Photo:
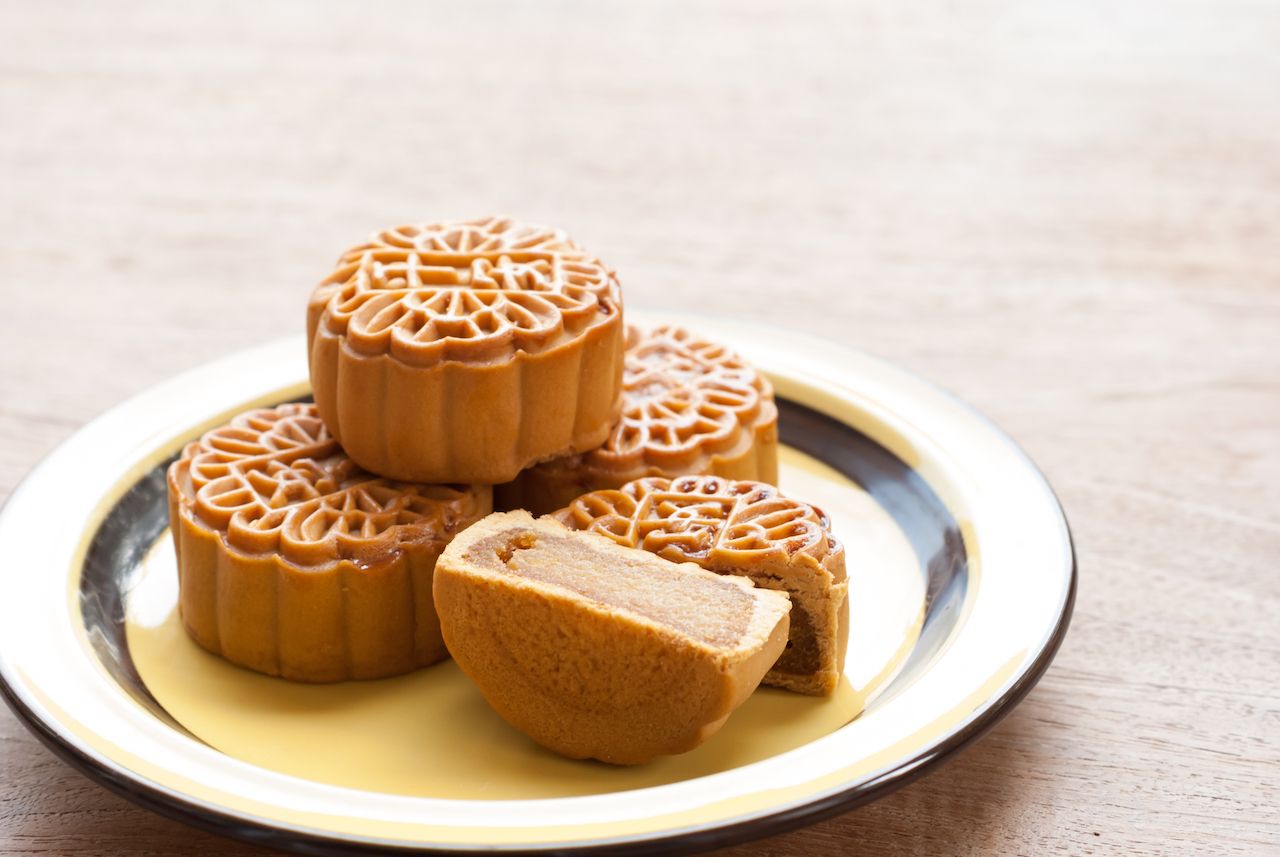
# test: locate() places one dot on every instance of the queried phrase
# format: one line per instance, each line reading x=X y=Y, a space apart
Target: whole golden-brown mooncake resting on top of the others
x=464 y=352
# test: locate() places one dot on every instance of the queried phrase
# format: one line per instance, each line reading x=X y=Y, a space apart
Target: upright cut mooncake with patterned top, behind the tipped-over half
x=749 y=529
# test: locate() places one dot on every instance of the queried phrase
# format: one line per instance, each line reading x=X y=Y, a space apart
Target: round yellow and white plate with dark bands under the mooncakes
x=962 y=583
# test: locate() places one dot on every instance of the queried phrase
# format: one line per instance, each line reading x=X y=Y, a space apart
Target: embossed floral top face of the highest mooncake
x=465 y=291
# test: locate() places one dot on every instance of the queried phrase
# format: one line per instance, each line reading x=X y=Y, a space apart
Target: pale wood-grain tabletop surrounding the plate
x=1066 y=213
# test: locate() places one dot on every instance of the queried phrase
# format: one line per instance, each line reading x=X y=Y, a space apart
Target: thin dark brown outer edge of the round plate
x=717 y=833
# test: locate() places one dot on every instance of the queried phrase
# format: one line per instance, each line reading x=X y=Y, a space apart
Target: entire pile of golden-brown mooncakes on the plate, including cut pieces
x=460 y=364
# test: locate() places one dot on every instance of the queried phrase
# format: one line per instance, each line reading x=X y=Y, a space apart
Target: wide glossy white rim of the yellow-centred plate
x=1013 y=526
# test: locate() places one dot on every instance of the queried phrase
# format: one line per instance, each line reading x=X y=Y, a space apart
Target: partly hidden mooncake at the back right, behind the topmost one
x=689 y=406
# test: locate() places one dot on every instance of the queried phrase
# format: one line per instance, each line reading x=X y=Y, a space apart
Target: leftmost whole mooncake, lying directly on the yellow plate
x=294 y=562
